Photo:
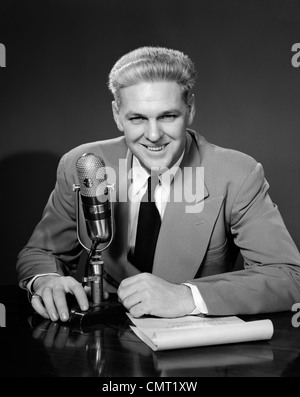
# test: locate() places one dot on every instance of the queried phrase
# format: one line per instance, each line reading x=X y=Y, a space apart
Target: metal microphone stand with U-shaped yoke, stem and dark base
x=93 y=273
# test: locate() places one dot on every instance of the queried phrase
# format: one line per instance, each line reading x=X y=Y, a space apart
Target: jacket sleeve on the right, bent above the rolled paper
x=270 y=280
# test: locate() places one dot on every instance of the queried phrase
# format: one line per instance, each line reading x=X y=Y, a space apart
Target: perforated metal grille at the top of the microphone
x=92 y=175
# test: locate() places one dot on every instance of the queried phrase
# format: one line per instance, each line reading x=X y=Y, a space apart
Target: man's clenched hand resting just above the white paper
x=147 y=294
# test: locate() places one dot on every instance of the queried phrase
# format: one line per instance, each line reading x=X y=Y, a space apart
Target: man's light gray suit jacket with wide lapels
x=198 y=241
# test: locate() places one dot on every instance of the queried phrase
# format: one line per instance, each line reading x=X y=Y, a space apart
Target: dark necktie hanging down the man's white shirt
x=149 y=222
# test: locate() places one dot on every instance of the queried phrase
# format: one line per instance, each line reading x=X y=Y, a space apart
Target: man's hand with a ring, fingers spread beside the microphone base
x=49 y=299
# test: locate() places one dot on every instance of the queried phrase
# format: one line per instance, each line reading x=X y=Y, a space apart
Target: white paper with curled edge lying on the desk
x=190 y=331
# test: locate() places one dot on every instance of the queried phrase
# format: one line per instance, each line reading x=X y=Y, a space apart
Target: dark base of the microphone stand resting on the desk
x=97 y=313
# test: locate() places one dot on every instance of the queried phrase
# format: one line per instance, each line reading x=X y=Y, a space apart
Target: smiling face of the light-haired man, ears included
x=154 y=117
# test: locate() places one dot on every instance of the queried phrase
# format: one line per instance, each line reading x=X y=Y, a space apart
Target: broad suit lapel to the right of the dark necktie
x=181 y=247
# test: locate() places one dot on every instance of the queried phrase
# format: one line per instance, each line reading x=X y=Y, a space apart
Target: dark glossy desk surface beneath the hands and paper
x=30 y=346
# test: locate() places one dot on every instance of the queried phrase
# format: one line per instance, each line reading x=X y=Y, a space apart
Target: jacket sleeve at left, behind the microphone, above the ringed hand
x=53 y=246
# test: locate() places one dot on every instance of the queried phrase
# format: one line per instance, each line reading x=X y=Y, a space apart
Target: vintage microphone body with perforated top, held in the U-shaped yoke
x=94 y=197
